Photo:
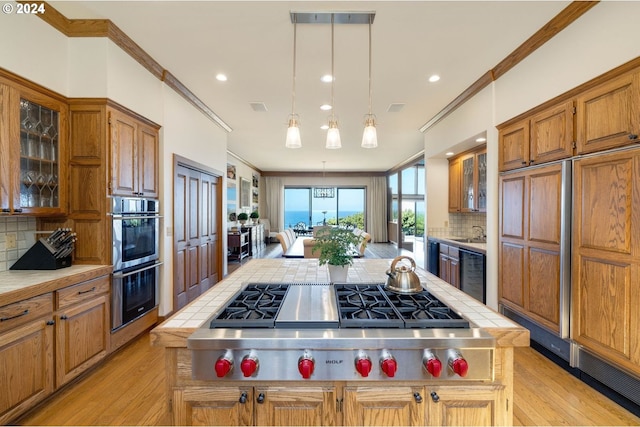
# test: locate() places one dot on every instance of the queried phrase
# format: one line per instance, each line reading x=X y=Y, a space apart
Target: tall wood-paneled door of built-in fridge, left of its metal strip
x=530 y=224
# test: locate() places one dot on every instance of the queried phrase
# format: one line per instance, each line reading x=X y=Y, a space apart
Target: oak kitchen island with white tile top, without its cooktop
x=419 y=401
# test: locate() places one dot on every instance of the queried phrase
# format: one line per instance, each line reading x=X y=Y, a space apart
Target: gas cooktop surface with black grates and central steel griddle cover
x=341 y=305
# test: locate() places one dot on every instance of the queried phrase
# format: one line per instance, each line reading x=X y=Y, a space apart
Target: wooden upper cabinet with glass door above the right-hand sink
x=468 y=181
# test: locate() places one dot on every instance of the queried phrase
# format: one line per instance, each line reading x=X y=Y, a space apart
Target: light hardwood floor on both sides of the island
x=128 y=389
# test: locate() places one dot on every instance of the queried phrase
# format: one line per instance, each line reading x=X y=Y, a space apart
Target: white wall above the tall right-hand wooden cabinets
x=596 y=43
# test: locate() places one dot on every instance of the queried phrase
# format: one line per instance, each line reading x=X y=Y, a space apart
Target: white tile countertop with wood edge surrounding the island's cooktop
x=179 y=326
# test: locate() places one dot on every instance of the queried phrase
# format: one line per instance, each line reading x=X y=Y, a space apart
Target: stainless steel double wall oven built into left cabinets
x=136 y=228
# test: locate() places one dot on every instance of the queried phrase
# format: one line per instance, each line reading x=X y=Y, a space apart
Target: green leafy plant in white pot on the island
x=337 y=247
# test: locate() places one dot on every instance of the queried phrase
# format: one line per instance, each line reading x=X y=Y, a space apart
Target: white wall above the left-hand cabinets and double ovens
x=96 y=67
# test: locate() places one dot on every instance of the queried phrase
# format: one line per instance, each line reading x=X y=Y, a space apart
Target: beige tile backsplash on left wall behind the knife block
x=22 y=230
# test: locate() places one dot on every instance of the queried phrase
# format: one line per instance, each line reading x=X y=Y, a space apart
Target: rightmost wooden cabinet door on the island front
x=465 y=406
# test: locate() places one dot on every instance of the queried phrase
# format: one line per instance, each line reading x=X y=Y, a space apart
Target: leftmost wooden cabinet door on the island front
x=219 y=406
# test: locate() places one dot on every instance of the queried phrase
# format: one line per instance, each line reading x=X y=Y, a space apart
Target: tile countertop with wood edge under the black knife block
x=17 y=285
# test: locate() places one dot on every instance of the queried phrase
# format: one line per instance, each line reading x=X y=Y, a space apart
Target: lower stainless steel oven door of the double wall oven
x=134 y=292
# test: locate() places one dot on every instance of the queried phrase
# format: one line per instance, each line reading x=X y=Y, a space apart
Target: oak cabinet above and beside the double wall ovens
x=109 y=148
